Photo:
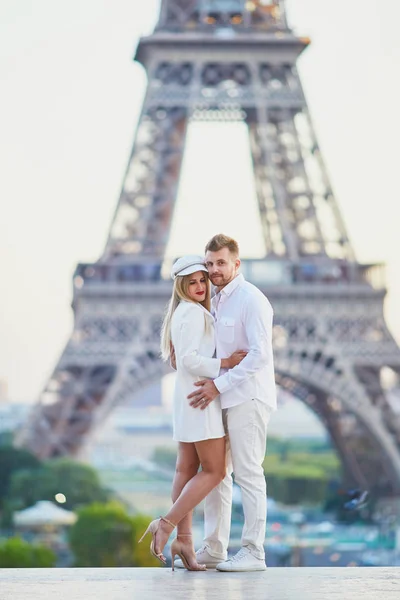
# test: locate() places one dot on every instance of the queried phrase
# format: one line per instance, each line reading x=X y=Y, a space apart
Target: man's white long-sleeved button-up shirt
x=243 y=321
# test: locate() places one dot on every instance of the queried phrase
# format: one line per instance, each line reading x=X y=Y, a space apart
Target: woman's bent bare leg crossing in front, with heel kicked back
x=211 y=454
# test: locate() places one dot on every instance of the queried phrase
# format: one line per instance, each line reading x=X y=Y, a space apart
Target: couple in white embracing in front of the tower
x=224 y=396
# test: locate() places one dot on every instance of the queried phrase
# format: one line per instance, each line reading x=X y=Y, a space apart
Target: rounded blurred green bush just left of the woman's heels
x=106 y=536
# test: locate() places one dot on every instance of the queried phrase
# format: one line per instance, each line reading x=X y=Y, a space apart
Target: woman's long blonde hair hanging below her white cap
x=179 y=293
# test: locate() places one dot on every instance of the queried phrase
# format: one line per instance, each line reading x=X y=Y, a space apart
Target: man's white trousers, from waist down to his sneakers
x=246 y=428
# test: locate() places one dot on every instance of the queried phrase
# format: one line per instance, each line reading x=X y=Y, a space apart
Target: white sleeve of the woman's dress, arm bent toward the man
x=191 y=333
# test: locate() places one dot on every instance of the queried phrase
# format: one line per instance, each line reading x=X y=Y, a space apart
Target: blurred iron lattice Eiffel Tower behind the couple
x=233 y=60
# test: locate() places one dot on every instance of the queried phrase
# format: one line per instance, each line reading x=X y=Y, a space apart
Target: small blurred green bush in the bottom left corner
x=16 y=553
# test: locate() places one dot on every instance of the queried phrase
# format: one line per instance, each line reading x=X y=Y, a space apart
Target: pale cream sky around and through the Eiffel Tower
x=69 y=102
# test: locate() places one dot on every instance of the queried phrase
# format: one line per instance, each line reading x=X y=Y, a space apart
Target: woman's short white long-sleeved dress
x=192 y=334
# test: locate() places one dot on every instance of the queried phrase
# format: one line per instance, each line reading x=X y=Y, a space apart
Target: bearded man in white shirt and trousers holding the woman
x=243 y=321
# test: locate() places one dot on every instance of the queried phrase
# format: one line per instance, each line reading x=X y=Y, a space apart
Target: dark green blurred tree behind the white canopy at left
x=78 y=482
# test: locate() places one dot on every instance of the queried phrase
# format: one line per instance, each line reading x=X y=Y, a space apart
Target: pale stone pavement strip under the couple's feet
x=374 y=583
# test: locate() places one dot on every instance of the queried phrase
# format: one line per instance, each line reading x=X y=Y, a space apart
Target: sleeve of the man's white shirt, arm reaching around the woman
x=257 y=316
